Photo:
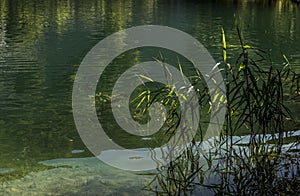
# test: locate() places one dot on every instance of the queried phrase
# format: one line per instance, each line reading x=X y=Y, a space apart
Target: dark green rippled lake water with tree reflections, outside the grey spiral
x=43 y=42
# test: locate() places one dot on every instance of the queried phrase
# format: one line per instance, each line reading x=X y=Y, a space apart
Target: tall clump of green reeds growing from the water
x=255 y=105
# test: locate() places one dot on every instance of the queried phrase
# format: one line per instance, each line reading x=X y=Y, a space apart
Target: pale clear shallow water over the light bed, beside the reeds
x=89 y=176
